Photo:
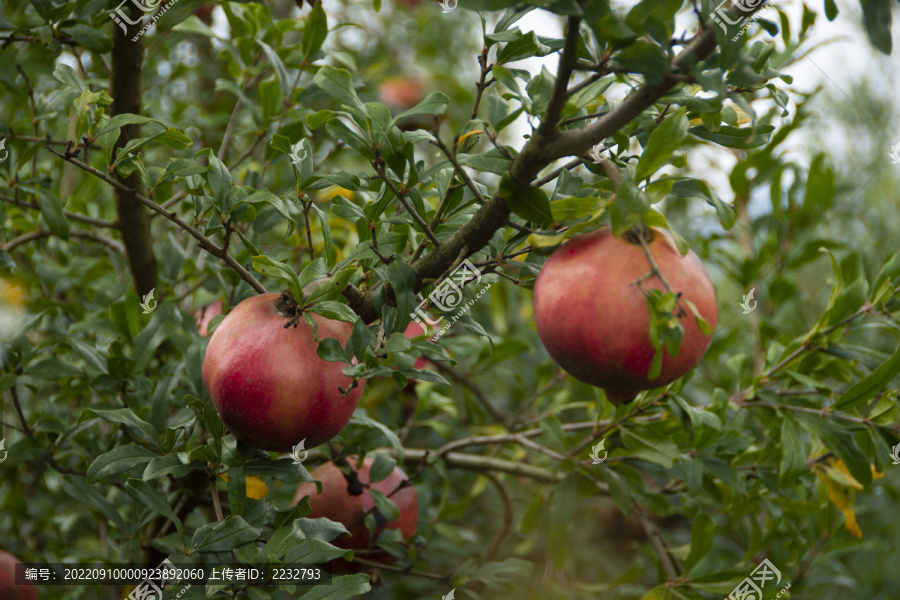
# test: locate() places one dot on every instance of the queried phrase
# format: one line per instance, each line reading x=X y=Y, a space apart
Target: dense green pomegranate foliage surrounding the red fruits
x=268 y=162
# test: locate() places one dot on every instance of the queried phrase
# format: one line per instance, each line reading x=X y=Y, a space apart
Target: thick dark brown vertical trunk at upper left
x=125 y=90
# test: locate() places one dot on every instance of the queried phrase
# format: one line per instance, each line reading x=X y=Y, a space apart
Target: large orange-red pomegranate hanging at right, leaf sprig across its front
x=593 y=318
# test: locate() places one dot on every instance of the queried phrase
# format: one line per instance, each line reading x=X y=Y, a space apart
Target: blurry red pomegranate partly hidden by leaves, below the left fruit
x=339 y=504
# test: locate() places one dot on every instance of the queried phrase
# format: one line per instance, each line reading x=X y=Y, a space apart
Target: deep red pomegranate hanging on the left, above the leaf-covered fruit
x=267 y=382
